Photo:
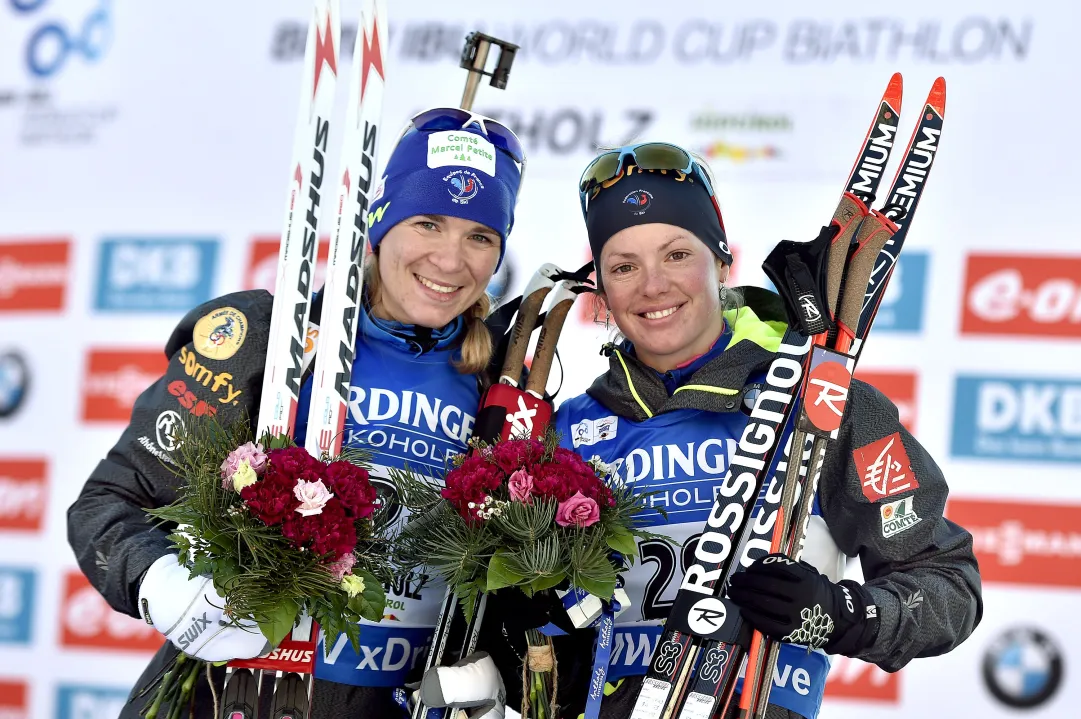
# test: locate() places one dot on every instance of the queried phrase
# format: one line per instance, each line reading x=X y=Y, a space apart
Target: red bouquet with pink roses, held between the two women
x=527 y=516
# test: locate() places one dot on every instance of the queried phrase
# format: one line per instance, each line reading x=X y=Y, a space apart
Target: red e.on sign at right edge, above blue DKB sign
x=1023 y=296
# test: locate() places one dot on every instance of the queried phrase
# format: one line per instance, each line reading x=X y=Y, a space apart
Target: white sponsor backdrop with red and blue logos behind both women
x=143 y=168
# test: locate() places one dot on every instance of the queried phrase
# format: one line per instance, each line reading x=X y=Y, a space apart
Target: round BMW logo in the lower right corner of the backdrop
x=1023 y=669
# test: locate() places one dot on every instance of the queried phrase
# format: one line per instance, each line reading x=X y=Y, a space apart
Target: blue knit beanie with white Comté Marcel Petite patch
x=458 y=174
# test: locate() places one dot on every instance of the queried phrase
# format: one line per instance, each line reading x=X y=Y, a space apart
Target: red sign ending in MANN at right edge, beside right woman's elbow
x=1022 y=542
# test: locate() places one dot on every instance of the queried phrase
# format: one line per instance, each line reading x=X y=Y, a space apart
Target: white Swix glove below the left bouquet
x=191 y=614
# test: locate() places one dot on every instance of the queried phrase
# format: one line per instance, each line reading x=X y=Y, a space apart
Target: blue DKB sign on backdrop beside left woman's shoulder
x=155 y=275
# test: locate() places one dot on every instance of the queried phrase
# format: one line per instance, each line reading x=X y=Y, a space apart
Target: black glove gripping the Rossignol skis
x=792 y=602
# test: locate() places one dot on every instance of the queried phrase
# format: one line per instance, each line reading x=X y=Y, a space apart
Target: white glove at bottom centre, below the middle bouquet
x=472 y=684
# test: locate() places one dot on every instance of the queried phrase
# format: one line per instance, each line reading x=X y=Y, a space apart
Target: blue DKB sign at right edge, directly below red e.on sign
x=1018 y=418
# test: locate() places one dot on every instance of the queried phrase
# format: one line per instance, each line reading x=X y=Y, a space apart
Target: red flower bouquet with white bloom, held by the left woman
x=283 y=534
